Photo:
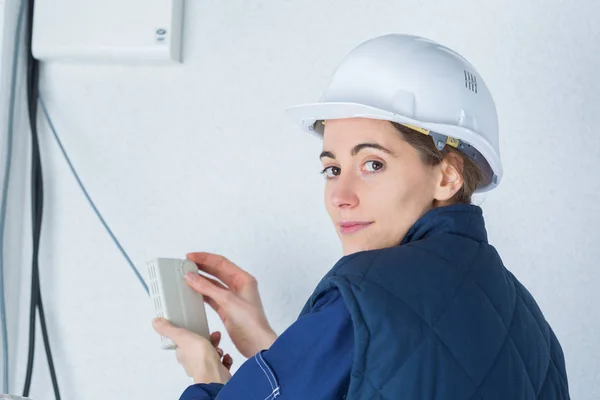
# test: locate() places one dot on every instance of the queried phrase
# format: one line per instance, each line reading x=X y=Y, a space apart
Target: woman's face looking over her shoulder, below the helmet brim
x=376 y=179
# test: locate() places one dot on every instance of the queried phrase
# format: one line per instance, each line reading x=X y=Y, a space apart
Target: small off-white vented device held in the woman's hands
x=173 y=299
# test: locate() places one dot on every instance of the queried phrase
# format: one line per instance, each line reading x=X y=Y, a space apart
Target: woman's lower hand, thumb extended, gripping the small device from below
x=199 y=357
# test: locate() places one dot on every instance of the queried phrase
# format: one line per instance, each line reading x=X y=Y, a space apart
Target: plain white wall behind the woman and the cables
x=200 y=157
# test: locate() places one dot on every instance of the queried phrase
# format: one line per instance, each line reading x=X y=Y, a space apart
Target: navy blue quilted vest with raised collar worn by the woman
x=440 y=317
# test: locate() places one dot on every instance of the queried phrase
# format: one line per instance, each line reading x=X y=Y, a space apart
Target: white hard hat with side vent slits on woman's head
x=419 y=83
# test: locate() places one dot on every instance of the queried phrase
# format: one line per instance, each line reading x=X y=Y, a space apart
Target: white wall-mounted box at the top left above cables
x=108 y=30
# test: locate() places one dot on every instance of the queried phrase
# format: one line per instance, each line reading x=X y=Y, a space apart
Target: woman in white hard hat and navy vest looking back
x=420 y=306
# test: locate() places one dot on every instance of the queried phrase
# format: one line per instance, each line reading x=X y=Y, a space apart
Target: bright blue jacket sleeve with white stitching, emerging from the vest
x=312 y=359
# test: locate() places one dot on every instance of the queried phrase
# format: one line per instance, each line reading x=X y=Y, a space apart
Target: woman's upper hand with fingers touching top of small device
x=238 y=304
